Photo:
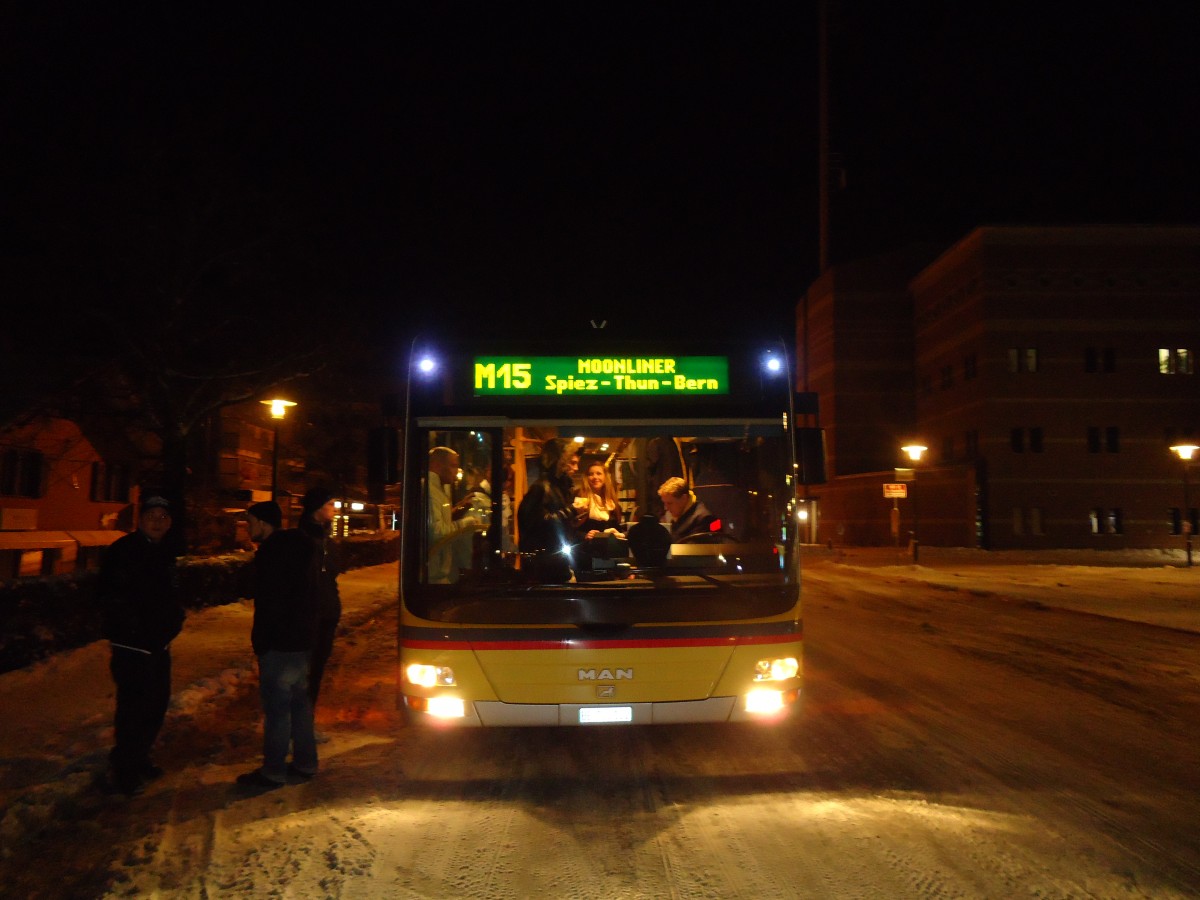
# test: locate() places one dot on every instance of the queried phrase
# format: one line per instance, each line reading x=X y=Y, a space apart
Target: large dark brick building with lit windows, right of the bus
x=1049 y=371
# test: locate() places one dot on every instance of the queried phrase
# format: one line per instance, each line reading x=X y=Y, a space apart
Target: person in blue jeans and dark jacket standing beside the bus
x=284 y=637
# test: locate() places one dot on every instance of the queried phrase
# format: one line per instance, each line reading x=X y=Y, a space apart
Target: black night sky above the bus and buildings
x=543 y=165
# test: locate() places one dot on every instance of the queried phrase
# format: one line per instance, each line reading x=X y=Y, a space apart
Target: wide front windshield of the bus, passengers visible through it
x=559 y=520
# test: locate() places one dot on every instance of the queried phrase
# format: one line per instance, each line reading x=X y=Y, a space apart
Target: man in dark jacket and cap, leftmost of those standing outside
x=142 y=615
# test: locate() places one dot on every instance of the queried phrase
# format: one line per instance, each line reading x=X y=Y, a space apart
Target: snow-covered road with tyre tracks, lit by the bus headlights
x=951 y=745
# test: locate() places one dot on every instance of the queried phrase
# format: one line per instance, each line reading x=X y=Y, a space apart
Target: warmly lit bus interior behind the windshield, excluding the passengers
x=740 y=471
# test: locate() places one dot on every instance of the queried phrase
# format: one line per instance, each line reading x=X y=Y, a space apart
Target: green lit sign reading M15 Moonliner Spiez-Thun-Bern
x=601 y=376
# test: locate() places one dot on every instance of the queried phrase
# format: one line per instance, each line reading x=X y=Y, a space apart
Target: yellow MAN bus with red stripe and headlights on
x=698 y=628
